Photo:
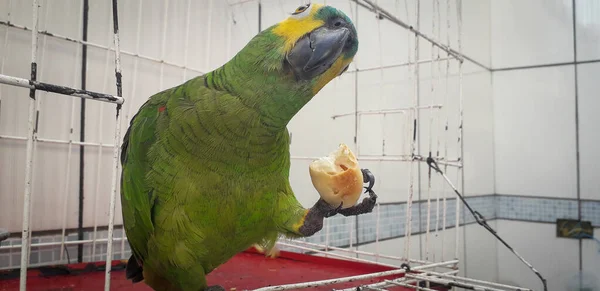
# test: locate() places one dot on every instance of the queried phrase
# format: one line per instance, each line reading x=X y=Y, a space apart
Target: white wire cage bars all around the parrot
x=425 y=267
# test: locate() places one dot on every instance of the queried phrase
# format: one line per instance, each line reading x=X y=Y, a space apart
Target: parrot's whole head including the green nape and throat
x=285 y=65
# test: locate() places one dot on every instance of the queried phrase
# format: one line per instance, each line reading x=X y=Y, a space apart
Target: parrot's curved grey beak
x=316 y=52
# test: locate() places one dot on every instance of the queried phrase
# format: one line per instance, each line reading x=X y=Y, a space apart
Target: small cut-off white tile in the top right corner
x=588 y=29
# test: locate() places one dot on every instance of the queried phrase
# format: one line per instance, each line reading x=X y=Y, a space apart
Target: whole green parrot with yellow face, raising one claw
x=205 y=164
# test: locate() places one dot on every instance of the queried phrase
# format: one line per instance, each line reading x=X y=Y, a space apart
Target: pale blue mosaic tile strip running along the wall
x=339 y=230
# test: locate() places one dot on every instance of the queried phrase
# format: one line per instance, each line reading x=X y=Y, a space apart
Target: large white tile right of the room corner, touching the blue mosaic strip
x=534 y=138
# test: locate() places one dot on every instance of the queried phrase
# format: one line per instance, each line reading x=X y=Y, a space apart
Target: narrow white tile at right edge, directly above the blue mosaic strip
x=589 y=130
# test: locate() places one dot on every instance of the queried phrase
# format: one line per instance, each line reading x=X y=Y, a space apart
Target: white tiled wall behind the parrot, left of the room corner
x=213 y=39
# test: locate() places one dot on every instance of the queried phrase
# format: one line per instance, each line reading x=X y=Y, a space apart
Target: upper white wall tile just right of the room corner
x=531 y=32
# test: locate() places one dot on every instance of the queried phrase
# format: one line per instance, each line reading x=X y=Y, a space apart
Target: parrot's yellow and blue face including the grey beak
x=319 y=43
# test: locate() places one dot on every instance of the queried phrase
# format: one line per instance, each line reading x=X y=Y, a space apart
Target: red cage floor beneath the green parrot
x=247 y=270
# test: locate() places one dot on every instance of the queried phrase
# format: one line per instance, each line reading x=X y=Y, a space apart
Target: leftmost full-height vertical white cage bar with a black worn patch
x=26 y=236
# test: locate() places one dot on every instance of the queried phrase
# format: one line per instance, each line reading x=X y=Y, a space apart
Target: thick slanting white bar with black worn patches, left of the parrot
x=20 y=82
